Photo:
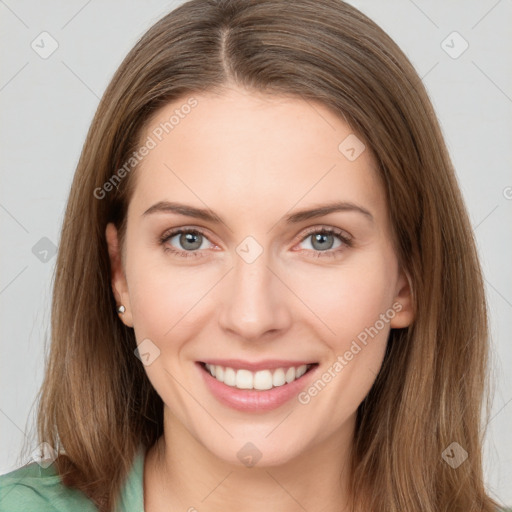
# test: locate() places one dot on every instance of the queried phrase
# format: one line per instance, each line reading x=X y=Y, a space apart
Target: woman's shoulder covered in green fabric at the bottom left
x=32 y=487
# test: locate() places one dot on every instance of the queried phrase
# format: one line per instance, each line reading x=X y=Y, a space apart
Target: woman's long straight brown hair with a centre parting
x=97 y=405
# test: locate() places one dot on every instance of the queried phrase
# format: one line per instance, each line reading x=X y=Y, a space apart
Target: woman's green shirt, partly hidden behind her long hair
x=33 y=488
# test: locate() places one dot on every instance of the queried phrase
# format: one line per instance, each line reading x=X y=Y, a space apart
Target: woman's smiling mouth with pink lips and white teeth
x=256 y=390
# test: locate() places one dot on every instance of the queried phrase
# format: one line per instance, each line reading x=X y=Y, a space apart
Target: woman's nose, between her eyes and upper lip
x=255 y=300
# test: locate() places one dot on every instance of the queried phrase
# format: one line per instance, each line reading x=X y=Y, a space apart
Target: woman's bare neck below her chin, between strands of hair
x=180 y=472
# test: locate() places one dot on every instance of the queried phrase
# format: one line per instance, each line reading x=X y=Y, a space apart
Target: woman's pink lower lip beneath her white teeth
x=253 y=400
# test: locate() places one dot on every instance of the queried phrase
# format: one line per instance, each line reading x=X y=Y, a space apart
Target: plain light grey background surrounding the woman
x=48 y=104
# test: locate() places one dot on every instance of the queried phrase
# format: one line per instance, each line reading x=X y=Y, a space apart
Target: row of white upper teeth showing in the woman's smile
x=260 y=380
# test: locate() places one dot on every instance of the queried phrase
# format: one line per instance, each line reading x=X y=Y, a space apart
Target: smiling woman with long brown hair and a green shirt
x=310 y=350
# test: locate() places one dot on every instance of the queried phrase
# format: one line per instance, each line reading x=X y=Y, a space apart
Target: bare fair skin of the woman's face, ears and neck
x=253 y=159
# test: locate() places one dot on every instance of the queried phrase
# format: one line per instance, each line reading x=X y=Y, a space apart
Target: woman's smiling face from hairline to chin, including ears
x=260 y=286
